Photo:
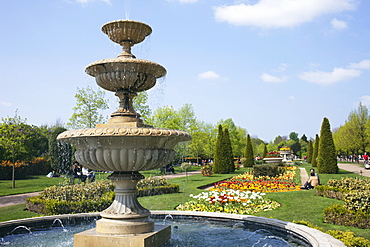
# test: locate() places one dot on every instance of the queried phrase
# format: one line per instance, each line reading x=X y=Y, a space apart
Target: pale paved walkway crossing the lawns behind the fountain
x=6 y=201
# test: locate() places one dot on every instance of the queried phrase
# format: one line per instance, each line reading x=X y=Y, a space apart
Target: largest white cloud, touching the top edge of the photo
x=280 y=13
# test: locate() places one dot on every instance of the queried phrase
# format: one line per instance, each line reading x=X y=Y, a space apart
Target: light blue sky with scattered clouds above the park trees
x=273 y=66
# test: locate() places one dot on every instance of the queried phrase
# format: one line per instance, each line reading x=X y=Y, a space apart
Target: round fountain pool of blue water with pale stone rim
x=188 y=229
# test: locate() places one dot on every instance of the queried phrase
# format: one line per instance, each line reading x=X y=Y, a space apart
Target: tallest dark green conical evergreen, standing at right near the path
x=326 y=158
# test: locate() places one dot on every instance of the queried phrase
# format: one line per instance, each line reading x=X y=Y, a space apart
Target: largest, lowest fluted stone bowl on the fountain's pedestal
x=124 y=149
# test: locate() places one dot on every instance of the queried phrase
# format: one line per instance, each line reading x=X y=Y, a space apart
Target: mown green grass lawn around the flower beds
x=296 y=205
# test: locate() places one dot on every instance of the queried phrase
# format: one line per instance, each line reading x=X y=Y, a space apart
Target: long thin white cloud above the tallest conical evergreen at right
x=327 y=78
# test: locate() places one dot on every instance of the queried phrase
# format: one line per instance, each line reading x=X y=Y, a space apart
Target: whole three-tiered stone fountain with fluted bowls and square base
x=124 y=145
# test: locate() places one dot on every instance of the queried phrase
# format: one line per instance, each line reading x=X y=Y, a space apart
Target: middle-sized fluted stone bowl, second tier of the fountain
x=125 y=73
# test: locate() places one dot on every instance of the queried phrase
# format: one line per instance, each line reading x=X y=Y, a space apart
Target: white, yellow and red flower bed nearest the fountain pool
x=229 y=201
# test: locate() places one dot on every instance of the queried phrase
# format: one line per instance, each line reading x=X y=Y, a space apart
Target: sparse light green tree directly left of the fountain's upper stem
x=86 y=112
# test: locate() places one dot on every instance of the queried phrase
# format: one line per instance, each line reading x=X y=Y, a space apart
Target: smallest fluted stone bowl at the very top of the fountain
x=126 y=30
